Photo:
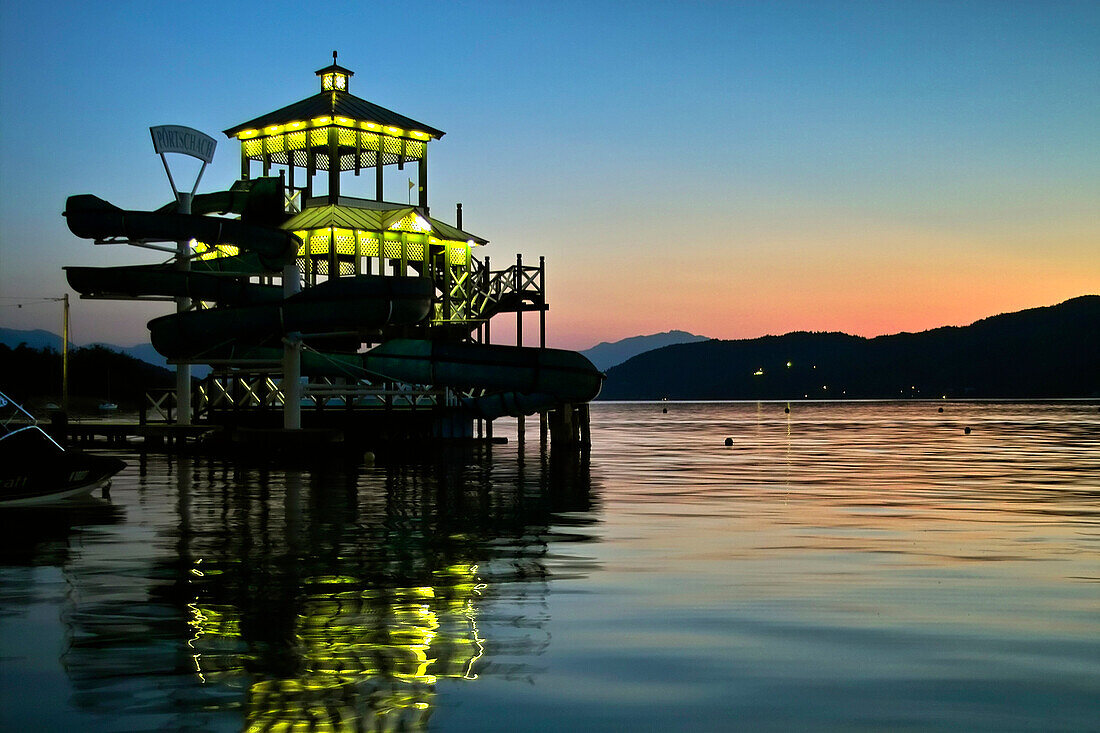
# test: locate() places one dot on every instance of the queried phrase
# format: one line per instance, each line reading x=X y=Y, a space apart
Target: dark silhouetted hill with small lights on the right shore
x=1040 y=353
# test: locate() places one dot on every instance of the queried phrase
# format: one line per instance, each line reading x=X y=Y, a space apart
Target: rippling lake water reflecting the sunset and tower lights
x=846 y=566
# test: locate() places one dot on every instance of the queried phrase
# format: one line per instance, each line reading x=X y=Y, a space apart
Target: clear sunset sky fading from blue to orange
x=729 y=169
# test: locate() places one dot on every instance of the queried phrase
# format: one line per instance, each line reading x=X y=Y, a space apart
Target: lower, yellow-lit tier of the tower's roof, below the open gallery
x=377 y=216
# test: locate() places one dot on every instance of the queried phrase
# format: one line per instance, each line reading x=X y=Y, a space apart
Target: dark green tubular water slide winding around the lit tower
x=254 y=319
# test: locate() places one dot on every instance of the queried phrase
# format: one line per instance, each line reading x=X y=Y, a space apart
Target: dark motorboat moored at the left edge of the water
x=36 y=469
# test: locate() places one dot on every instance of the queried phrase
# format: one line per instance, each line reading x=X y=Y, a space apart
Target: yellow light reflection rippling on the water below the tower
x=364 y=651
